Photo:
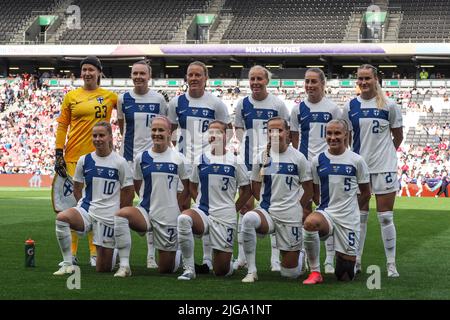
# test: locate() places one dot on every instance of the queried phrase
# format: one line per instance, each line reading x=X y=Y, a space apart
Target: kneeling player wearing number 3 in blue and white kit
x=214 y=182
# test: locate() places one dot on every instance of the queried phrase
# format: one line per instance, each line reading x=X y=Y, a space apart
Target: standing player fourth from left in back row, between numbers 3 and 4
x=252 y=114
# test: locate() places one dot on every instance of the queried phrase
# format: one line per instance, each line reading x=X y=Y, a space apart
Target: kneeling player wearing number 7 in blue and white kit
x=160 y=168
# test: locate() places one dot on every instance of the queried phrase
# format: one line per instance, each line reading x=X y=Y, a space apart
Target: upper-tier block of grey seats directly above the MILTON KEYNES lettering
x=289 y=20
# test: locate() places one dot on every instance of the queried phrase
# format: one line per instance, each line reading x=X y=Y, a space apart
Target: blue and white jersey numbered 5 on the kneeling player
x=339 y=178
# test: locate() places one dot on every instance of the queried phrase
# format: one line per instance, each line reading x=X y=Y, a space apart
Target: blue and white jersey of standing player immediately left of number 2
x=310 y=120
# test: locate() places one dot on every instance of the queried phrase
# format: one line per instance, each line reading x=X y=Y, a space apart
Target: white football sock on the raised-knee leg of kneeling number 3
x=186 y=240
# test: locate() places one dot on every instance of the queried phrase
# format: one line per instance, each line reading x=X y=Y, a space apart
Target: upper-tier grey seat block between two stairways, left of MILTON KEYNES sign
x=132 y=21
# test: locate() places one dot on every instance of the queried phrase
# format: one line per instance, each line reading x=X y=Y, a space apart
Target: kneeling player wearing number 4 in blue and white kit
x=276 y=180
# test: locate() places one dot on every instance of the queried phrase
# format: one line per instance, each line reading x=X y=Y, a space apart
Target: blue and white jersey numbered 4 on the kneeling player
x=281 y=183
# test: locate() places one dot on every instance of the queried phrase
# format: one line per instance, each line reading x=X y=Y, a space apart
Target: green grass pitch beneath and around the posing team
x=423 y=258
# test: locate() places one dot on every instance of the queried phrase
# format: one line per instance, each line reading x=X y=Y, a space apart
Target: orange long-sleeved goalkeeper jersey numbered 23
x=80 y=111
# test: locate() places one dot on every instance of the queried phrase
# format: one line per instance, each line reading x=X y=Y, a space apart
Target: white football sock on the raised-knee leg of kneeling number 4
x=250 y=223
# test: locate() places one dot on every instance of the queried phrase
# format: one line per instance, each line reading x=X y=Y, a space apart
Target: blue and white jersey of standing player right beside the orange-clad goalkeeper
x=137 y=111
